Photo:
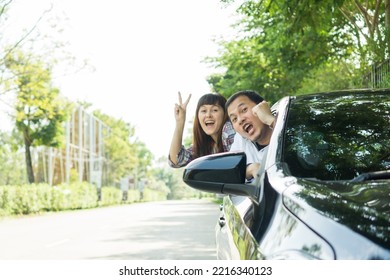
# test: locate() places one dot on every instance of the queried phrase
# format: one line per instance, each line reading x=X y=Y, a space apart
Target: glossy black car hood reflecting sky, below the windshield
x=357 y=225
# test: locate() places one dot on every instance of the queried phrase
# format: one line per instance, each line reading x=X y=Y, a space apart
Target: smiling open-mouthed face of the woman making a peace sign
x=211 y=119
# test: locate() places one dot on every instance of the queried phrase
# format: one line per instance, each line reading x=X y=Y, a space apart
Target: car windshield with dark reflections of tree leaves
x=338 y=136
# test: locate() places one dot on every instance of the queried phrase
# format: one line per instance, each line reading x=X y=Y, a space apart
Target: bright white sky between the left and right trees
x=143 y=53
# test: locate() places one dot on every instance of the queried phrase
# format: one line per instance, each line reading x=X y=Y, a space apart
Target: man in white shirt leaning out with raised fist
x=252 y=119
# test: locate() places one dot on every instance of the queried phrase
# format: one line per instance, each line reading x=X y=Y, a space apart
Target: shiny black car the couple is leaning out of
x=324 y=191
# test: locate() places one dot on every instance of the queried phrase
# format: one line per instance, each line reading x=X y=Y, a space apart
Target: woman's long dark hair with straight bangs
x=202 y=143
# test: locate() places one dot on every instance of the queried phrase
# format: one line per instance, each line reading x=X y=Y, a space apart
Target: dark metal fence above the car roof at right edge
x=379 y=76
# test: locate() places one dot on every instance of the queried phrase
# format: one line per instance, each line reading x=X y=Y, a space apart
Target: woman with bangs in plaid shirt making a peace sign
x=212 y=132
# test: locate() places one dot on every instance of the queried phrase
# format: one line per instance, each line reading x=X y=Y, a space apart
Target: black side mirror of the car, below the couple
x=222 y=173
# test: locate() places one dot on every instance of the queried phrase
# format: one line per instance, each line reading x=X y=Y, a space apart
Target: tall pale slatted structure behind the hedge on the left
x=82 y=159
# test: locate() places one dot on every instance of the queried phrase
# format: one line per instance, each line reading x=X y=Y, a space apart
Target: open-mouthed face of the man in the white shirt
x=244 y=121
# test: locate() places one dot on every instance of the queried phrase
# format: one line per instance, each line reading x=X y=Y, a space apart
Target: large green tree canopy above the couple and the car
x=283 y=45
